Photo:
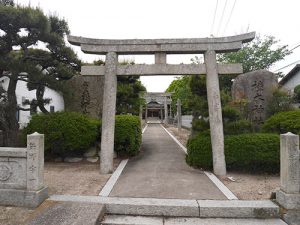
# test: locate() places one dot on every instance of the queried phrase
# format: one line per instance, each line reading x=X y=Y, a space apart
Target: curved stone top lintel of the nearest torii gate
x=169 y=46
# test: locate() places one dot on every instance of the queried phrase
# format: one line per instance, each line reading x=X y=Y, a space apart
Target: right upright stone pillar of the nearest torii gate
x=215 y=113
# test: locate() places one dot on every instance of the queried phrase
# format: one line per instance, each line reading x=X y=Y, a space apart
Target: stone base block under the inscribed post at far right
x=288 y=201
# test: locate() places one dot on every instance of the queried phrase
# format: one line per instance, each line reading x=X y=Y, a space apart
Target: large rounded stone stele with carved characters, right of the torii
x=256 y=89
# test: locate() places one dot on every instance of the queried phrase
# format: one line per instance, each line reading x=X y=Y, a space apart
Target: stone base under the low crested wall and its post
x=23 y=198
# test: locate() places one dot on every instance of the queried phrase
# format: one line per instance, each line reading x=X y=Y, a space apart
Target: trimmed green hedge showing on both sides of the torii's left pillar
x=71 y=133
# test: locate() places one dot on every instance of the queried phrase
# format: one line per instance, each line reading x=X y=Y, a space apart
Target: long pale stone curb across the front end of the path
x=180 y=207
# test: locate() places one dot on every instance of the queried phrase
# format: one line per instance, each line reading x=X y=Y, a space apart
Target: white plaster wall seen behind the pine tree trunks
x=22 y=92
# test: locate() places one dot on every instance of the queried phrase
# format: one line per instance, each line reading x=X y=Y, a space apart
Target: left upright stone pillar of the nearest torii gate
x=108 y=114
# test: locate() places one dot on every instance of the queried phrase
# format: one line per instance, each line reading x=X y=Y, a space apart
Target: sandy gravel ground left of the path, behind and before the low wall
x=81 y=178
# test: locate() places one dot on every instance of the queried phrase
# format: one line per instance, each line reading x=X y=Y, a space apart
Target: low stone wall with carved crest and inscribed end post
x=22 y=174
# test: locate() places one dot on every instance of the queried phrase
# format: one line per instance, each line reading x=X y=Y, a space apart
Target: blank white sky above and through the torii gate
x=122 y=19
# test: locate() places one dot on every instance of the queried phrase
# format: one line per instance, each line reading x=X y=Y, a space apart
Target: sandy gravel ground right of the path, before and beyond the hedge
x=245 y=186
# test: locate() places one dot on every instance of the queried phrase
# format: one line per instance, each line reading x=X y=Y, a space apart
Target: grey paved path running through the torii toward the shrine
x=160 y=171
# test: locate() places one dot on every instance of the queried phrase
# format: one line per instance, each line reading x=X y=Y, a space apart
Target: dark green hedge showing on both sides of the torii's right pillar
x=248 y=152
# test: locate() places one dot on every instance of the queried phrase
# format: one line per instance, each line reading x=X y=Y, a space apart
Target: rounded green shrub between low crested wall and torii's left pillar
x=66 y=133
